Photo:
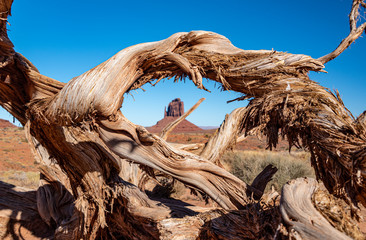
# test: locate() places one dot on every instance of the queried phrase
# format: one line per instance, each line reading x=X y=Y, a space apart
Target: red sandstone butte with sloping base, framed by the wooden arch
x=174 y=111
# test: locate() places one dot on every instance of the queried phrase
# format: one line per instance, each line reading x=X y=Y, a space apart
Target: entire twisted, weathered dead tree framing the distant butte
x=94 y=159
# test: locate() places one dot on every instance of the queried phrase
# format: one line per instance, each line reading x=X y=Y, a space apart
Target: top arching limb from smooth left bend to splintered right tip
x=99 y=92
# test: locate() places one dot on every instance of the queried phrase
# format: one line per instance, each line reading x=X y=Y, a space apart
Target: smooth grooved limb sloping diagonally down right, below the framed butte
x=144 y=148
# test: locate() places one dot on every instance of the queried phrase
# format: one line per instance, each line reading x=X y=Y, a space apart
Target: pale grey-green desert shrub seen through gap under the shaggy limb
x=246 y=165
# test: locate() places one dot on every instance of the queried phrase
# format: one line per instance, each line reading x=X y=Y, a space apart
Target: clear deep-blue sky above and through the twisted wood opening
x=63 y=39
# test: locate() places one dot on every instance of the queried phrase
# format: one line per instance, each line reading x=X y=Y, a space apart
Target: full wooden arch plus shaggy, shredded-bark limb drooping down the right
x=283 y=98
